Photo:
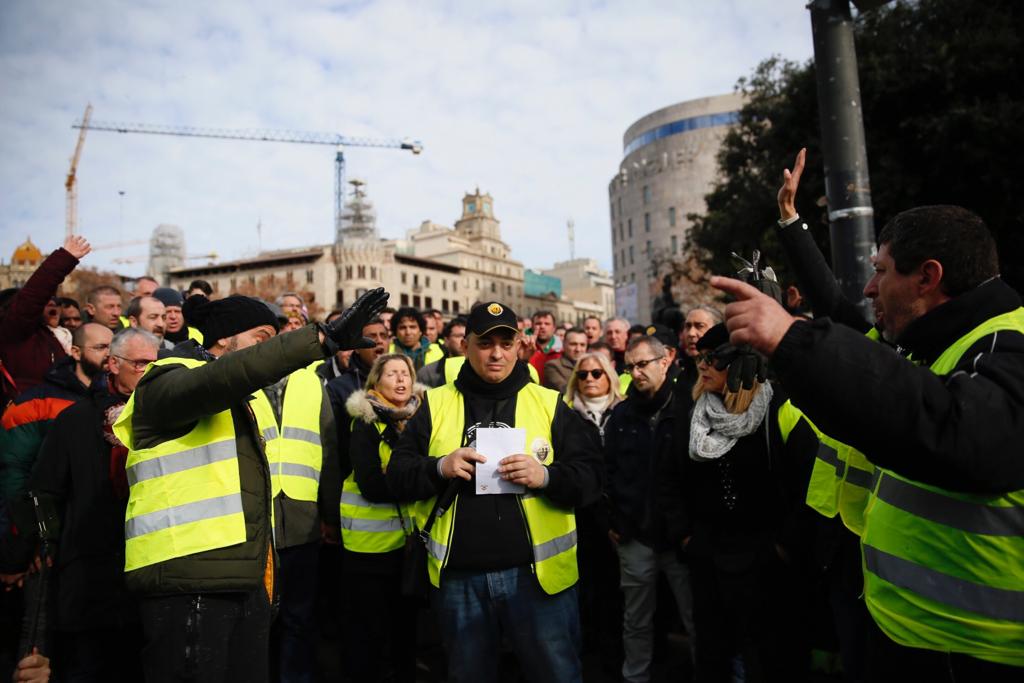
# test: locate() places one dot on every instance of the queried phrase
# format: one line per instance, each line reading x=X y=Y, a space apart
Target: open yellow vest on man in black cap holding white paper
x=552 y=530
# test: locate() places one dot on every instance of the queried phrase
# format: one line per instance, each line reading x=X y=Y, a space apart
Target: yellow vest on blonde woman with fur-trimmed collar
x=368 y=527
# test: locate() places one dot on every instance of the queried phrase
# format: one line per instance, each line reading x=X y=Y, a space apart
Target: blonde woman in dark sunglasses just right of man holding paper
x=593 y=393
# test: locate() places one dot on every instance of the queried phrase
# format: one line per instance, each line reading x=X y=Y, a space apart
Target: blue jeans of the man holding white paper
x=478 y=609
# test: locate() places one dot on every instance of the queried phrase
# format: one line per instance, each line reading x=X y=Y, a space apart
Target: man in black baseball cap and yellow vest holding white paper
x=508 y=561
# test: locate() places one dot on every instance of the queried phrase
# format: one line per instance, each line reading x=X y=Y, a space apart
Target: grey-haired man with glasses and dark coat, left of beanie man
x=81 y=468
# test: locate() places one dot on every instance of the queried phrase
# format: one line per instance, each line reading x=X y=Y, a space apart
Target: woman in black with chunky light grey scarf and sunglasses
x=748 y=454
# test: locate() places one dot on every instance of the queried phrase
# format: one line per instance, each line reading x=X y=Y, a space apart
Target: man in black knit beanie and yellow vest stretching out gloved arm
x=199 y=547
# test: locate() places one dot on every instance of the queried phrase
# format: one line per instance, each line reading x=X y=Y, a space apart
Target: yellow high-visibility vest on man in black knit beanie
x=185 y=495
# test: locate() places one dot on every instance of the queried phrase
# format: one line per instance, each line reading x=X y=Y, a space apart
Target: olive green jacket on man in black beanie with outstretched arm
x=169 y=401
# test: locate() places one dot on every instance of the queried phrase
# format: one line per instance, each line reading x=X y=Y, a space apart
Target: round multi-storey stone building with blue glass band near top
x=669 y=164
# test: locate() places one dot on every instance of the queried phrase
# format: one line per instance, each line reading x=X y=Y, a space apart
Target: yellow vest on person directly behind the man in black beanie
x=297 y=457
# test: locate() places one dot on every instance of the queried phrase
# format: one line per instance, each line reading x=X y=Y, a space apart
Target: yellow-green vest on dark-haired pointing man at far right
x=945 y=571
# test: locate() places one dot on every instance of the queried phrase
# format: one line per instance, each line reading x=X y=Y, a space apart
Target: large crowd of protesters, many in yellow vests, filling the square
x=198 y=489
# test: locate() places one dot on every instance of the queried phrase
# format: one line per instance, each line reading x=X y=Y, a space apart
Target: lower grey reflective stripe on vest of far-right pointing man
x=993 y=603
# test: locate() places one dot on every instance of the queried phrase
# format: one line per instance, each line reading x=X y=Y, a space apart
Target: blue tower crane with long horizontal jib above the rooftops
x=263 y=136
